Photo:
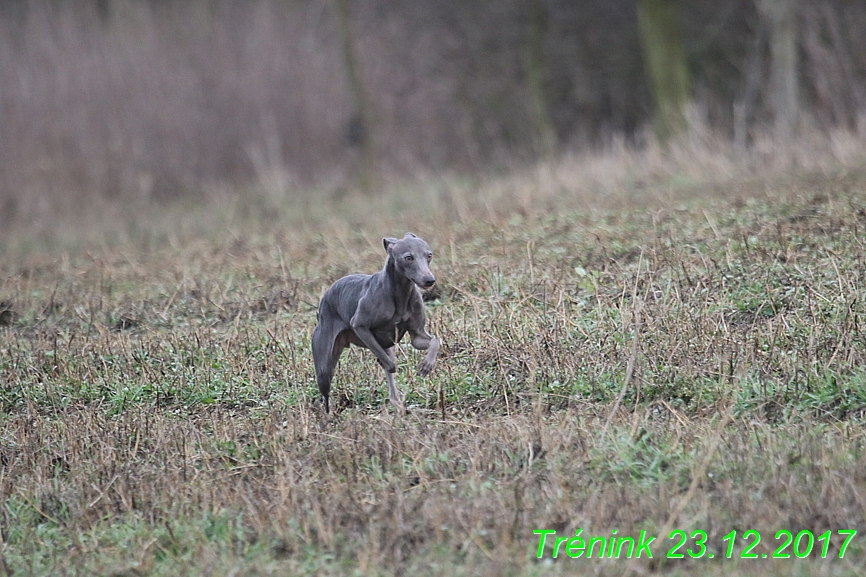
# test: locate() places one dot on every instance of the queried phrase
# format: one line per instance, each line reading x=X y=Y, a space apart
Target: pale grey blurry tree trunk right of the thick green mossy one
x=781 y=15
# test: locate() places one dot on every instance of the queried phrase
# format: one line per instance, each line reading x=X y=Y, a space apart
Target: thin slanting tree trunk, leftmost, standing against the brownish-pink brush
x=359 y=131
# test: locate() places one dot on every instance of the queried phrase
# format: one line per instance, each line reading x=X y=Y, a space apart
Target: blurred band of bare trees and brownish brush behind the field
x=157 y=98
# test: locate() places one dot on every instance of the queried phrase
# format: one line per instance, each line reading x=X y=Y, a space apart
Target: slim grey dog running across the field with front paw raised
x=374 y=312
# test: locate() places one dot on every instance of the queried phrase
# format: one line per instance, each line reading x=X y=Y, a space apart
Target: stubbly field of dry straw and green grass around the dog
x=661 y=356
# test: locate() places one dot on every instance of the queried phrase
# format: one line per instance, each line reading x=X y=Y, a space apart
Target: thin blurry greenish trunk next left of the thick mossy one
x=545 y=136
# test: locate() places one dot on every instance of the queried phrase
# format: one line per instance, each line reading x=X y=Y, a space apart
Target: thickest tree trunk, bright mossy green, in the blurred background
x=666 y=65
